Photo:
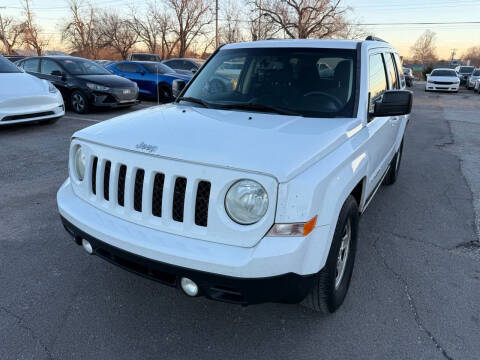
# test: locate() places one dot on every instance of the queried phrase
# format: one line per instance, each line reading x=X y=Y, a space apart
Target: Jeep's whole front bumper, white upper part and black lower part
x=276 y=269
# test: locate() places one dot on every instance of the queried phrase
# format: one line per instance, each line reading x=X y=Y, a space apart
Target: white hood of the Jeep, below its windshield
x=278 y=145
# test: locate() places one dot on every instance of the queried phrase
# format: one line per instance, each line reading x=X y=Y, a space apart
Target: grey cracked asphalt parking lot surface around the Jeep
x=414 y=294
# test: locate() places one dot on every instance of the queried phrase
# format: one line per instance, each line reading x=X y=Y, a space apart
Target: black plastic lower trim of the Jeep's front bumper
x=286 y=288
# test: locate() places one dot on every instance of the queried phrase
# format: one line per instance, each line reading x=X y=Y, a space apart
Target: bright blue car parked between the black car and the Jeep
x=153 y=78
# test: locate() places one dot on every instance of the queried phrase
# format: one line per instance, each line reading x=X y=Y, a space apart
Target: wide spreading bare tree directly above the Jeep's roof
x=303 y=18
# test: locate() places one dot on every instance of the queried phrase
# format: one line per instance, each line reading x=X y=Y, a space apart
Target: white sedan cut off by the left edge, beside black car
x=25 y=98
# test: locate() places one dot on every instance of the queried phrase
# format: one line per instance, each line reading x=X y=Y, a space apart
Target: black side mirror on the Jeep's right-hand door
x=394 y=103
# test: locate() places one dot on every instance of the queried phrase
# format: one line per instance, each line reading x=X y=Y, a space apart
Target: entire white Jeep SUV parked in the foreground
x=248 y=188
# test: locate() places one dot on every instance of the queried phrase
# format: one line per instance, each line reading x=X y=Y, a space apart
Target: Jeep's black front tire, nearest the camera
x=329 y=290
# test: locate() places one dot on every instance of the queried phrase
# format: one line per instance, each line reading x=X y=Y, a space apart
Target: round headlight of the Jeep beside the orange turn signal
x=246 y=202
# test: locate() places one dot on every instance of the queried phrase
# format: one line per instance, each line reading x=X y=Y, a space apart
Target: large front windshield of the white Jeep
x=306 y=82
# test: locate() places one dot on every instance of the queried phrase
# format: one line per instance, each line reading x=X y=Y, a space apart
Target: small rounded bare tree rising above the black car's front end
x=117 y=33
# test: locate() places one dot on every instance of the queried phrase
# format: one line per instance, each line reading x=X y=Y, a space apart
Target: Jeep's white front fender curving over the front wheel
x=321 y=191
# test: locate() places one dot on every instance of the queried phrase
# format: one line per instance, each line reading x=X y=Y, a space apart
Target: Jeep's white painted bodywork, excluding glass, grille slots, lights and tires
x=307 y=166
